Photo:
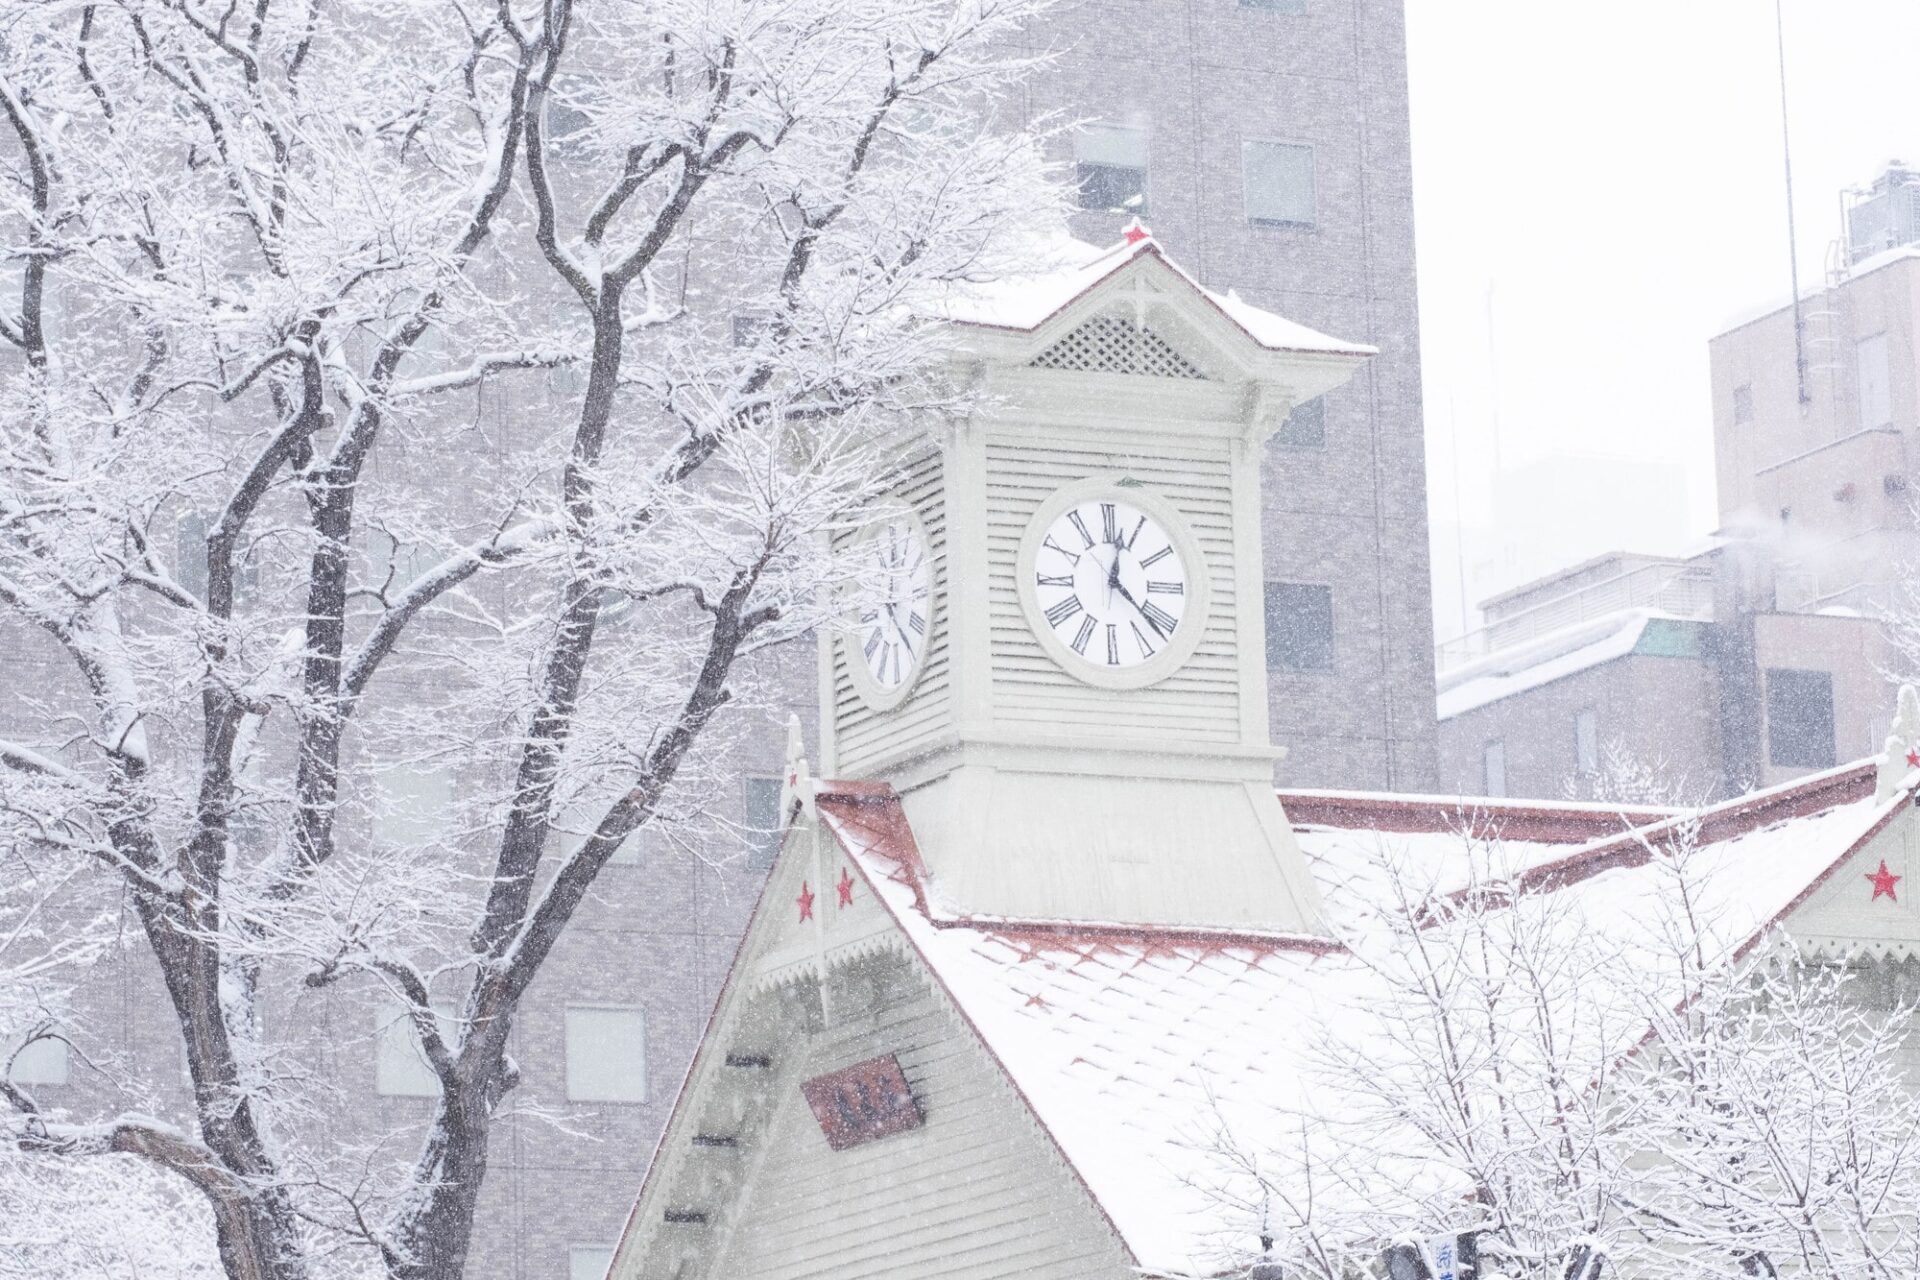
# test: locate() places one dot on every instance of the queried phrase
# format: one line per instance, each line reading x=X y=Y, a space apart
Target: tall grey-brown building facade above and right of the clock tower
x=1268 y=147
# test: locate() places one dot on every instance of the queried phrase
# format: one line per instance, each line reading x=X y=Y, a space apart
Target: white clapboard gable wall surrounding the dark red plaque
x=976 y=1193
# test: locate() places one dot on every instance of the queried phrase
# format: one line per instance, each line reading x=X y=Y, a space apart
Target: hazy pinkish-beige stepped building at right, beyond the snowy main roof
x=1787 y=667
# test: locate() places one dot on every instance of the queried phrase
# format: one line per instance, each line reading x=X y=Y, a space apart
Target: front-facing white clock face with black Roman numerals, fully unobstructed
x=1111 y=584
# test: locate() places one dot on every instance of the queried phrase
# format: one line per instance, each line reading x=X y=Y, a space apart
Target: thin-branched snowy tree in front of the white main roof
x=1639 y=1089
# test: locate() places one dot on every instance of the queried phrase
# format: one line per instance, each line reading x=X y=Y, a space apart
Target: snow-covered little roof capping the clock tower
x=1074 y=268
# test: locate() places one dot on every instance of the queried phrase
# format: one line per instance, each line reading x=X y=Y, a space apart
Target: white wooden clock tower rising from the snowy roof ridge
x=1067 y=675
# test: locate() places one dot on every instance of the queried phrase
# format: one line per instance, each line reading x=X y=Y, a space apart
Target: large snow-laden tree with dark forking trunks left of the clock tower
x=433 y=387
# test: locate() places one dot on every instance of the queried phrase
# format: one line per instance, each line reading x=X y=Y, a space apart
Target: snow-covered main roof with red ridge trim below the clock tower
x=1136 y=1045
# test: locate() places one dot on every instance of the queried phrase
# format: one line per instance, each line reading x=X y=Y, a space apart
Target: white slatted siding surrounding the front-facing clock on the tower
x=1197 y=703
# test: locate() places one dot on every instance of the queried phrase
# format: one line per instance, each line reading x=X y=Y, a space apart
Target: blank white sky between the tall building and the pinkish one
x=1614 y=176
